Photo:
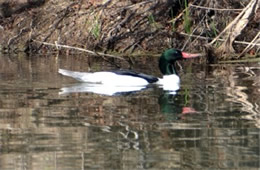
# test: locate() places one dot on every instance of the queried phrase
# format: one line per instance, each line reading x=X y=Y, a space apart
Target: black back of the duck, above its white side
x=148 y=78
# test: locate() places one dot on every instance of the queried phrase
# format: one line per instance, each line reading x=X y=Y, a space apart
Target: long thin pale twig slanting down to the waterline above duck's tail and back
x=79 y=49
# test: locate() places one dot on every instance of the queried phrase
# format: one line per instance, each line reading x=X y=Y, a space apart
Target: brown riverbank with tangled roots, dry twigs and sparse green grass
x=224 y=30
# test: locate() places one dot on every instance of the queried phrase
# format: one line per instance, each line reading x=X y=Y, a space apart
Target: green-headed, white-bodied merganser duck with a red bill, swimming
x=128 y=80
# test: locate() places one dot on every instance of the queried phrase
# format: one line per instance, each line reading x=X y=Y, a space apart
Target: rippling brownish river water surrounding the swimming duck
x=211 y=123
